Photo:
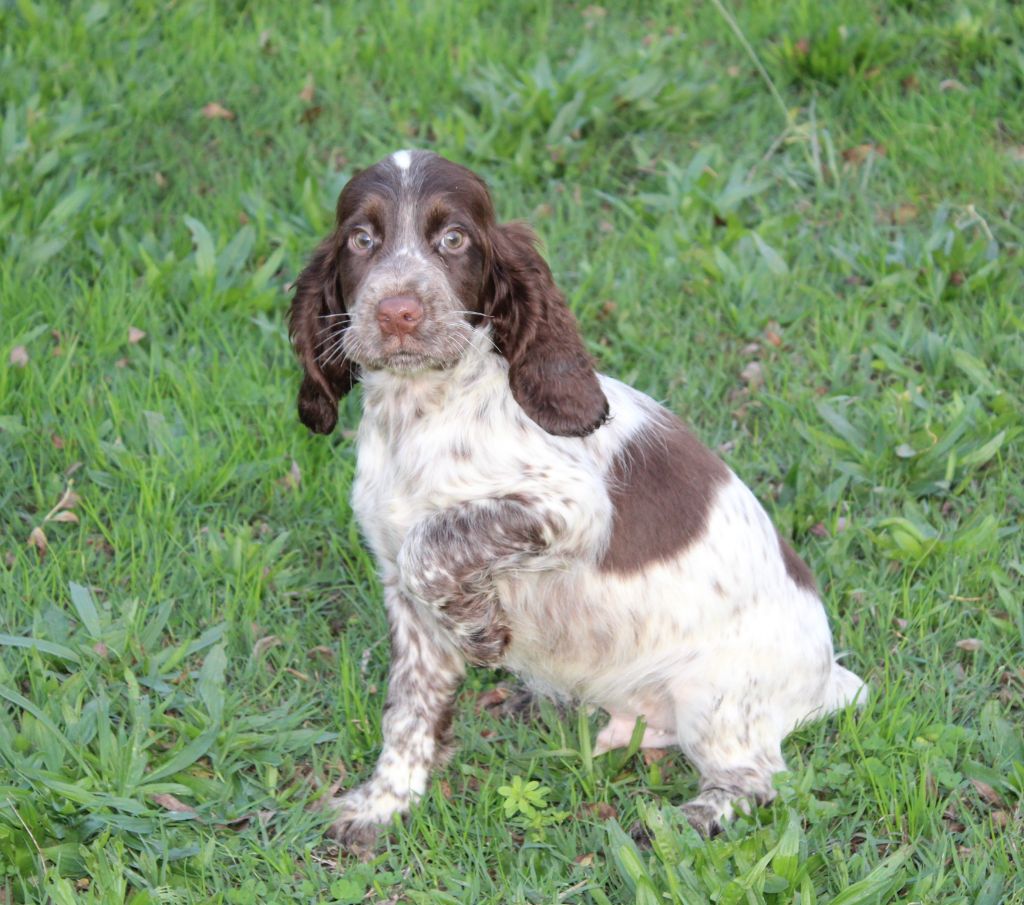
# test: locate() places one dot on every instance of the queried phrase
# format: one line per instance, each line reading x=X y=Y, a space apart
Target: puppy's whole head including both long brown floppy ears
x=415 y=265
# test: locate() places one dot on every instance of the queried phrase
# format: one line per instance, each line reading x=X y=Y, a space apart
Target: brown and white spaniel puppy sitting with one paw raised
x=529 y=513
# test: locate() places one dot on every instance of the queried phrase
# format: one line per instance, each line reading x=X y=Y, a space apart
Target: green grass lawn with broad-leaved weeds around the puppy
x=802 y=229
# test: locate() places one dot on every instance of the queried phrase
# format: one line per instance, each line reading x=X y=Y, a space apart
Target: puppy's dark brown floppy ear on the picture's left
x=329 y=375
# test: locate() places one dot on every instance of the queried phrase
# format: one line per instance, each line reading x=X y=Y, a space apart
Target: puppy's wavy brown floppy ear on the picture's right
x=550 y=373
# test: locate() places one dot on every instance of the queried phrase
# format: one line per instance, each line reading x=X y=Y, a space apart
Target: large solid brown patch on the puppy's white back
x=662 y=486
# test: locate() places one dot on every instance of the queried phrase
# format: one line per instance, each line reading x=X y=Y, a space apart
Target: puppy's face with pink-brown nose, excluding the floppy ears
x=413 y=234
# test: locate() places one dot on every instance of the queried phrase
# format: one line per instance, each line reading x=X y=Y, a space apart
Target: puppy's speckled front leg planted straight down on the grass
x=424 y=676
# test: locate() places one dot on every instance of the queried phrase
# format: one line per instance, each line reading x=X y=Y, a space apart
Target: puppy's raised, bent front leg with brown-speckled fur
x=449 y=561
